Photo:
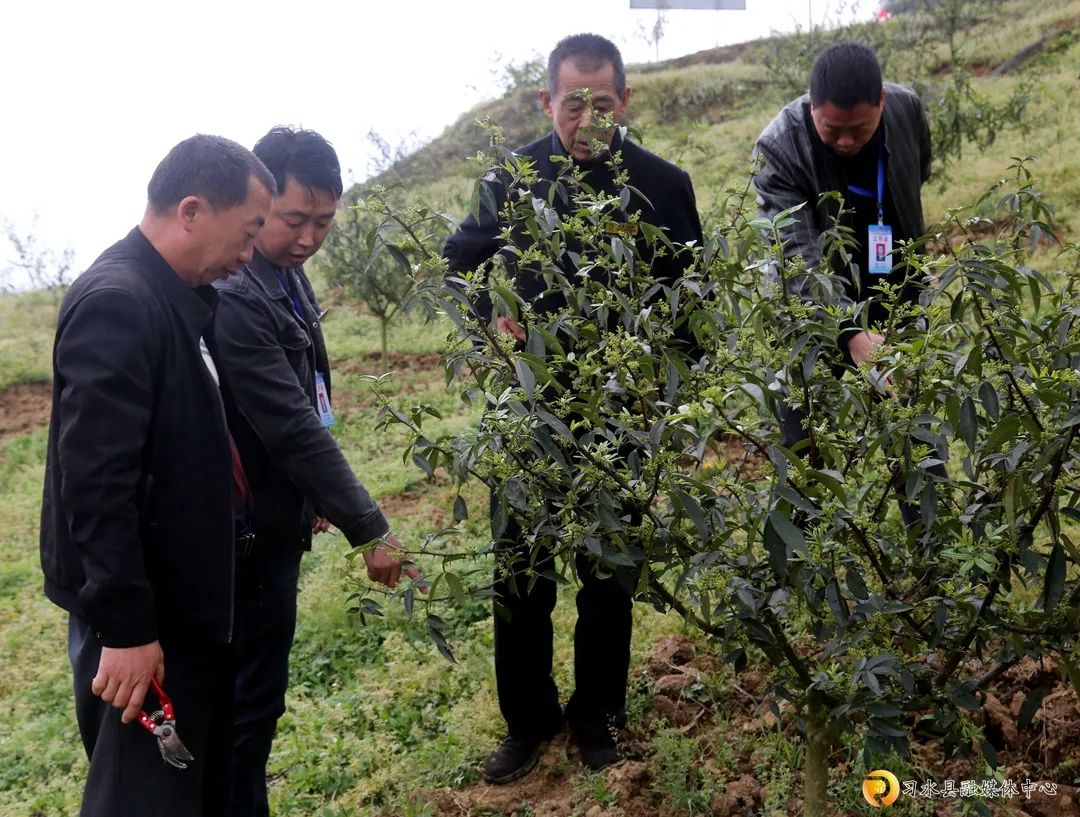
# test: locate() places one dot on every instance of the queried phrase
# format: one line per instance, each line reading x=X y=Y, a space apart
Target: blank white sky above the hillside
x=96 y=92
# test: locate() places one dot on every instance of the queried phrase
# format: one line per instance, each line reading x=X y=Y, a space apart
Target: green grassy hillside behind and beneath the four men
x=379 y=724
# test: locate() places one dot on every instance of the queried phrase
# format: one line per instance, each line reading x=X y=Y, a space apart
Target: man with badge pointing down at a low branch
x=276 y=369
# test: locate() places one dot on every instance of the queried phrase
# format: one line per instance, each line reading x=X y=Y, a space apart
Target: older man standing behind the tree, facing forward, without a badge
x=582 y=70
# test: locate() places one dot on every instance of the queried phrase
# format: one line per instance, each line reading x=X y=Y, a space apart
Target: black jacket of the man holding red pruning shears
x=137 y=520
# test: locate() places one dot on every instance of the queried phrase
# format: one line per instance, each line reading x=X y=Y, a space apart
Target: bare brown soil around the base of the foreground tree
x=1044 y=752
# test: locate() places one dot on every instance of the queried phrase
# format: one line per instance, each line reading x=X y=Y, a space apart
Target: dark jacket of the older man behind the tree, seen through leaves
x=668 y=203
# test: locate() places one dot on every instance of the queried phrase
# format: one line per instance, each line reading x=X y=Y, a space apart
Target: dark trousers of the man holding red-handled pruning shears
x=128 y=776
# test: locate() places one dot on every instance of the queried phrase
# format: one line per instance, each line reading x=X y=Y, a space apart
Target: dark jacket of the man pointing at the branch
x=269 y=359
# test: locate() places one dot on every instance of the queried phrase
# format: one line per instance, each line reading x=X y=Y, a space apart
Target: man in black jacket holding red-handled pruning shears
x=137 y=523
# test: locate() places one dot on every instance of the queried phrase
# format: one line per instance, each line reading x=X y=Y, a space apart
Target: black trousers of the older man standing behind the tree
x=529 y=698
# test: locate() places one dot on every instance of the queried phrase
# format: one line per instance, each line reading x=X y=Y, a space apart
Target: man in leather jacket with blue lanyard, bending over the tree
x=869 y=141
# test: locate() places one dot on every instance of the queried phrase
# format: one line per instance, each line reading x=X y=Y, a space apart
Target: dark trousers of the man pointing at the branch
x=265 y=625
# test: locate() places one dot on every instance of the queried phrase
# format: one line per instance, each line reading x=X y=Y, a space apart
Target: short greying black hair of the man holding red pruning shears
x=213 y=168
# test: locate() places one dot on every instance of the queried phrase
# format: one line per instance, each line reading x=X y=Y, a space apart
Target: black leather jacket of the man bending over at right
x=799 y=168
